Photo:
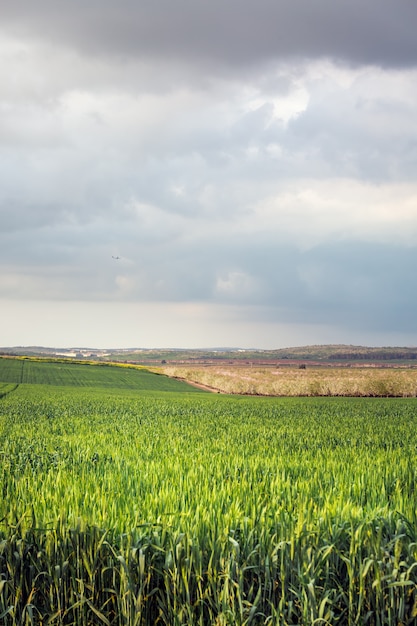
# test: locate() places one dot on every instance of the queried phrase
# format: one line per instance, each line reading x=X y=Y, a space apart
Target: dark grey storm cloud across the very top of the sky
x=235 y=32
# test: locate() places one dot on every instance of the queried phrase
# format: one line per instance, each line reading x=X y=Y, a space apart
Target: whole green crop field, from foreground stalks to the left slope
x=130 y=501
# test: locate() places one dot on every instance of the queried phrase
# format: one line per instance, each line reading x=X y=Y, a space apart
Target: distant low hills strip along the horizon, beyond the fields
x=315 y=353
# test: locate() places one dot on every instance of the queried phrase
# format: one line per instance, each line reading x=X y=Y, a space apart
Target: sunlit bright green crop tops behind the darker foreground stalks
x=152 y=456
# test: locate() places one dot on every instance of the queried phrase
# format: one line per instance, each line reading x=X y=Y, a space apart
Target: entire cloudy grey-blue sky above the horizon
x=207 y=173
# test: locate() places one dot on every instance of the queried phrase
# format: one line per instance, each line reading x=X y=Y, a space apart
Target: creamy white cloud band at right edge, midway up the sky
x=311 y=212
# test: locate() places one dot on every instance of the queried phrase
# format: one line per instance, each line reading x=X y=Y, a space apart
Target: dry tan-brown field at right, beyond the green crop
x=295 y=381
